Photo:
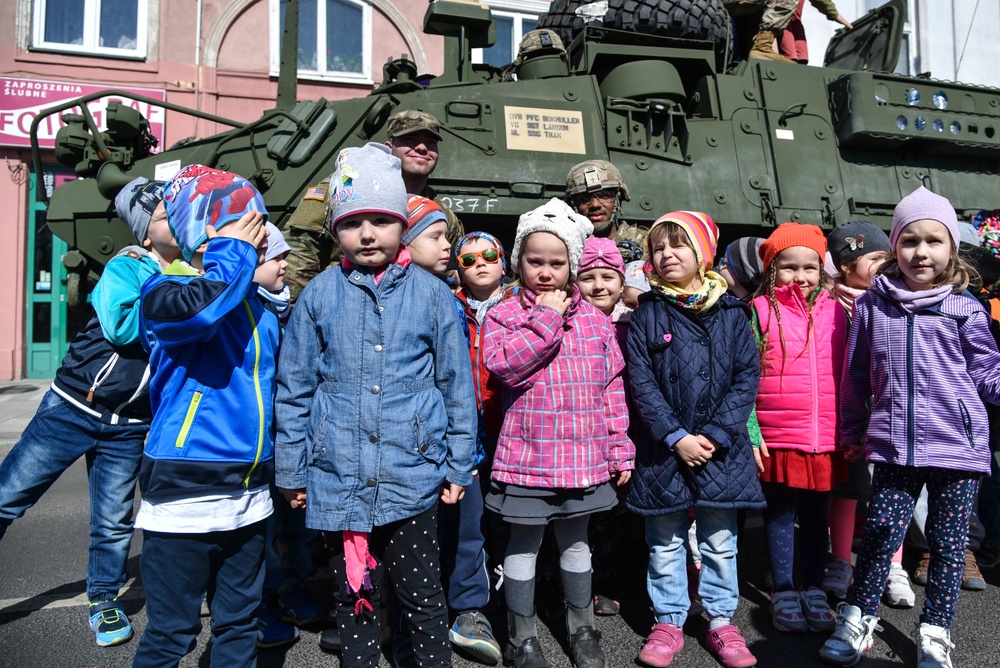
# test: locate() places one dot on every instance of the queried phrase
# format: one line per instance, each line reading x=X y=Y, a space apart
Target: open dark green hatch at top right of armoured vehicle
x=872 y=44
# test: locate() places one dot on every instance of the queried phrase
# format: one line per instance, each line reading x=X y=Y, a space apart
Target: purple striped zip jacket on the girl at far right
x=928 y=361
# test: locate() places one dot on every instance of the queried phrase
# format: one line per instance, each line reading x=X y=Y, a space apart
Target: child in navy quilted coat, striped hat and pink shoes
x=694 y=373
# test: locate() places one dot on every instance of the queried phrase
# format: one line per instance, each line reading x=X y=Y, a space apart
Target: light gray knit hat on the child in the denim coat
x=366 y=179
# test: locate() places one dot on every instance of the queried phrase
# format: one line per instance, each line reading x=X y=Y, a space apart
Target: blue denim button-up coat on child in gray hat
x=375 y=406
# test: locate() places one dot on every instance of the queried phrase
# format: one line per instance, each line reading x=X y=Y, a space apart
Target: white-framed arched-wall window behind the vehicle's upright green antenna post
x=334 y=39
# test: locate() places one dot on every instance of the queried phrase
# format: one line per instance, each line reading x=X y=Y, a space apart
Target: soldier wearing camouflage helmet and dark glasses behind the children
x=596 y=190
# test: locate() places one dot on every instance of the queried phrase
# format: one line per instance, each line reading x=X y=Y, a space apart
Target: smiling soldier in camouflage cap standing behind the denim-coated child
x=413 y=138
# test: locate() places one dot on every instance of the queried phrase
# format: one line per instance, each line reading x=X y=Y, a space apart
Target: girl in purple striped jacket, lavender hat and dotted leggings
x=921 y=348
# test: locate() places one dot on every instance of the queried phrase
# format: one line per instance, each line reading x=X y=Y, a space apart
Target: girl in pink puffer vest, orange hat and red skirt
x=802 y=333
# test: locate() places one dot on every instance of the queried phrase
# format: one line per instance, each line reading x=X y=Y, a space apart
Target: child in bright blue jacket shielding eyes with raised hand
x=209 y=457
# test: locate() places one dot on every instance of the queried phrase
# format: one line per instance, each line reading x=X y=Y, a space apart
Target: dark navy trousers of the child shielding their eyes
x=178 y=569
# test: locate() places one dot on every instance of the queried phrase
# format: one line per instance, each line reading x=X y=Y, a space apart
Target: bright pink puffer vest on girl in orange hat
x=798 y=395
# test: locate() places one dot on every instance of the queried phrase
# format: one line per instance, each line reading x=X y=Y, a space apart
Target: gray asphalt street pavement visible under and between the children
x=43 y=607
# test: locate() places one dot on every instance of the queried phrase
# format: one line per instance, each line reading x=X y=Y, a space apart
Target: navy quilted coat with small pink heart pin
x=692 y=373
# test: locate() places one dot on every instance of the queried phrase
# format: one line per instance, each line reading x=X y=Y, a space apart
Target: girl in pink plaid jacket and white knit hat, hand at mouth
x=563 y=442
